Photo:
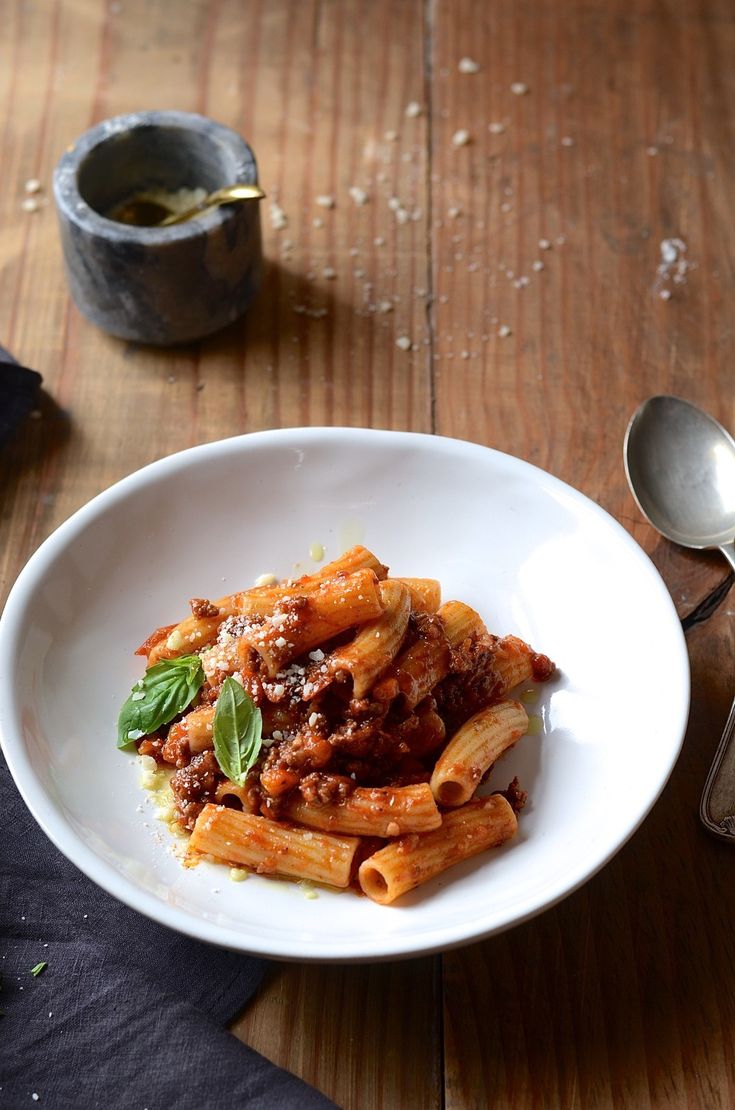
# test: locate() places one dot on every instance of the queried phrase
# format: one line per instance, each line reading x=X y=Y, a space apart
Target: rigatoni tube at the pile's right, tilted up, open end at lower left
x=475 y=749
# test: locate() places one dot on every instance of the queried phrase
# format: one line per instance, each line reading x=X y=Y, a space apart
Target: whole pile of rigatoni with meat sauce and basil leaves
x=335 y=728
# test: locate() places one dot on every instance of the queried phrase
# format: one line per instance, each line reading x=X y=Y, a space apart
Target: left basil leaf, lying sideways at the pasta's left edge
x=165 y=691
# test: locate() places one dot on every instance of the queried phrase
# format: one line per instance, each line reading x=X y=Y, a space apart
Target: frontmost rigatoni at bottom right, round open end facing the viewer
x=411 y=861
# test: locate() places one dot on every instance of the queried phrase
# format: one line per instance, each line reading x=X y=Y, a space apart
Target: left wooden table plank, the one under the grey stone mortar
x=314 y=87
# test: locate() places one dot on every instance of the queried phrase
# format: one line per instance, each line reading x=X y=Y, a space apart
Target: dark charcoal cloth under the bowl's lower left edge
x=104 y=1008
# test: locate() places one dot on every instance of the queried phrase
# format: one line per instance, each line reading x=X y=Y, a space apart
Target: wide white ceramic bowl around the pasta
x=535 y=557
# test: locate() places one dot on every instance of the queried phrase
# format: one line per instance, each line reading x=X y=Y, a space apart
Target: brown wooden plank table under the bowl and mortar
x=621 y=136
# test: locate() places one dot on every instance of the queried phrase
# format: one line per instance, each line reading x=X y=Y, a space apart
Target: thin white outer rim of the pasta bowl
x=120 y=886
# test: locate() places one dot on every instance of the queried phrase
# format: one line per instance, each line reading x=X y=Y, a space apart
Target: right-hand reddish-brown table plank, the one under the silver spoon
x=612 y=998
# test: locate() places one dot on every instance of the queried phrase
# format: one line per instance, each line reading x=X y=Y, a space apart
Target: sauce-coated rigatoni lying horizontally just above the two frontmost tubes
x=385 y=811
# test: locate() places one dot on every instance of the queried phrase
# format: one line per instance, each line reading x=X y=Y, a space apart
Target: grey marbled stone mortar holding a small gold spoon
x=160 y=286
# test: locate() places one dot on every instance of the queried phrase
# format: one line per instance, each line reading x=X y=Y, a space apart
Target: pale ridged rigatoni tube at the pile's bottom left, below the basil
x=273 y=849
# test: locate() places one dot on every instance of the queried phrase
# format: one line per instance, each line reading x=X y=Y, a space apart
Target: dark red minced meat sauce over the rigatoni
x=323 y=745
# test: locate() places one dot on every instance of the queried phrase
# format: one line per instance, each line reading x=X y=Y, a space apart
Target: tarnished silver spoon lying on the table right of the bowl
x=681 y=468
